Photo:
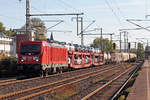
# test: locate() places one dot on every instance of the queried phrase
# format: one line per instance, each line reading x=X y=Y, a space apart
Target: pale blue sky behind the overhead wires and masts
x=111 y=15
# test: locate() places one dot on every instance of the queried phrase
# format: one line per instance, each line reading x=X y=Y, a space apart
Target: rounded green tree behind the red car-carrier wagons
x=106 y=44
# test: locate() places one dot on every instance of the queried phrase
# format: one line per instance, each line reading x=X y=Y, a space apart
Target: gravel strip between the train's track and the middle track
x=40 y=81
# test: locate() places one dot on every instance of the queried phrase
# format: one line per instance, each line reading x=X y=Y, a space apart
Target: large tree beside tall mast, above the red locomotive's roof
x=39 y=27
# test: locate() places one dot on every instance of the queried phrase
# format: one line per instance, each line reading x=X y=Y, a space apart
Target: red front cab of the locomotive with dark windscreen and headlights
x=29 y=57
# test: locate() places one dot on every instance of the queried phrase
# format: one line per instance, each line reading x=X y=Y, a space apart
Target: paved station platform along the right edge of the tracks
x=141 y=87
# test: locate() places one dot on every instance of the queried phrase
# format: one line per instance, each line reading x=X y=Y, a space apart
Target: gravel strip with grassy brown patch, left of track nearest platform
x=79 y=89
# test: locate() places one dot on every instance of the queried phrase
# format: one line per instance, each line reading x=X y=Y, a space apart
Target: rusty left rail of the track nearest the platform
x=105 y=85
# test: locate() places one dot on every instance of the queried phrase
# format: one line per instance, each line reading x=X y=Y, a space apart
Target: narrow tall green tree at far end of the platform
x=140 y=51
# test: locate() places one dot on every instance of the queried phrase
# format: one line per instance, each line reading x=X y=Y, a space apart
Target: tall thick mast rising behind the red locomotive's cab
x=28 y=27
